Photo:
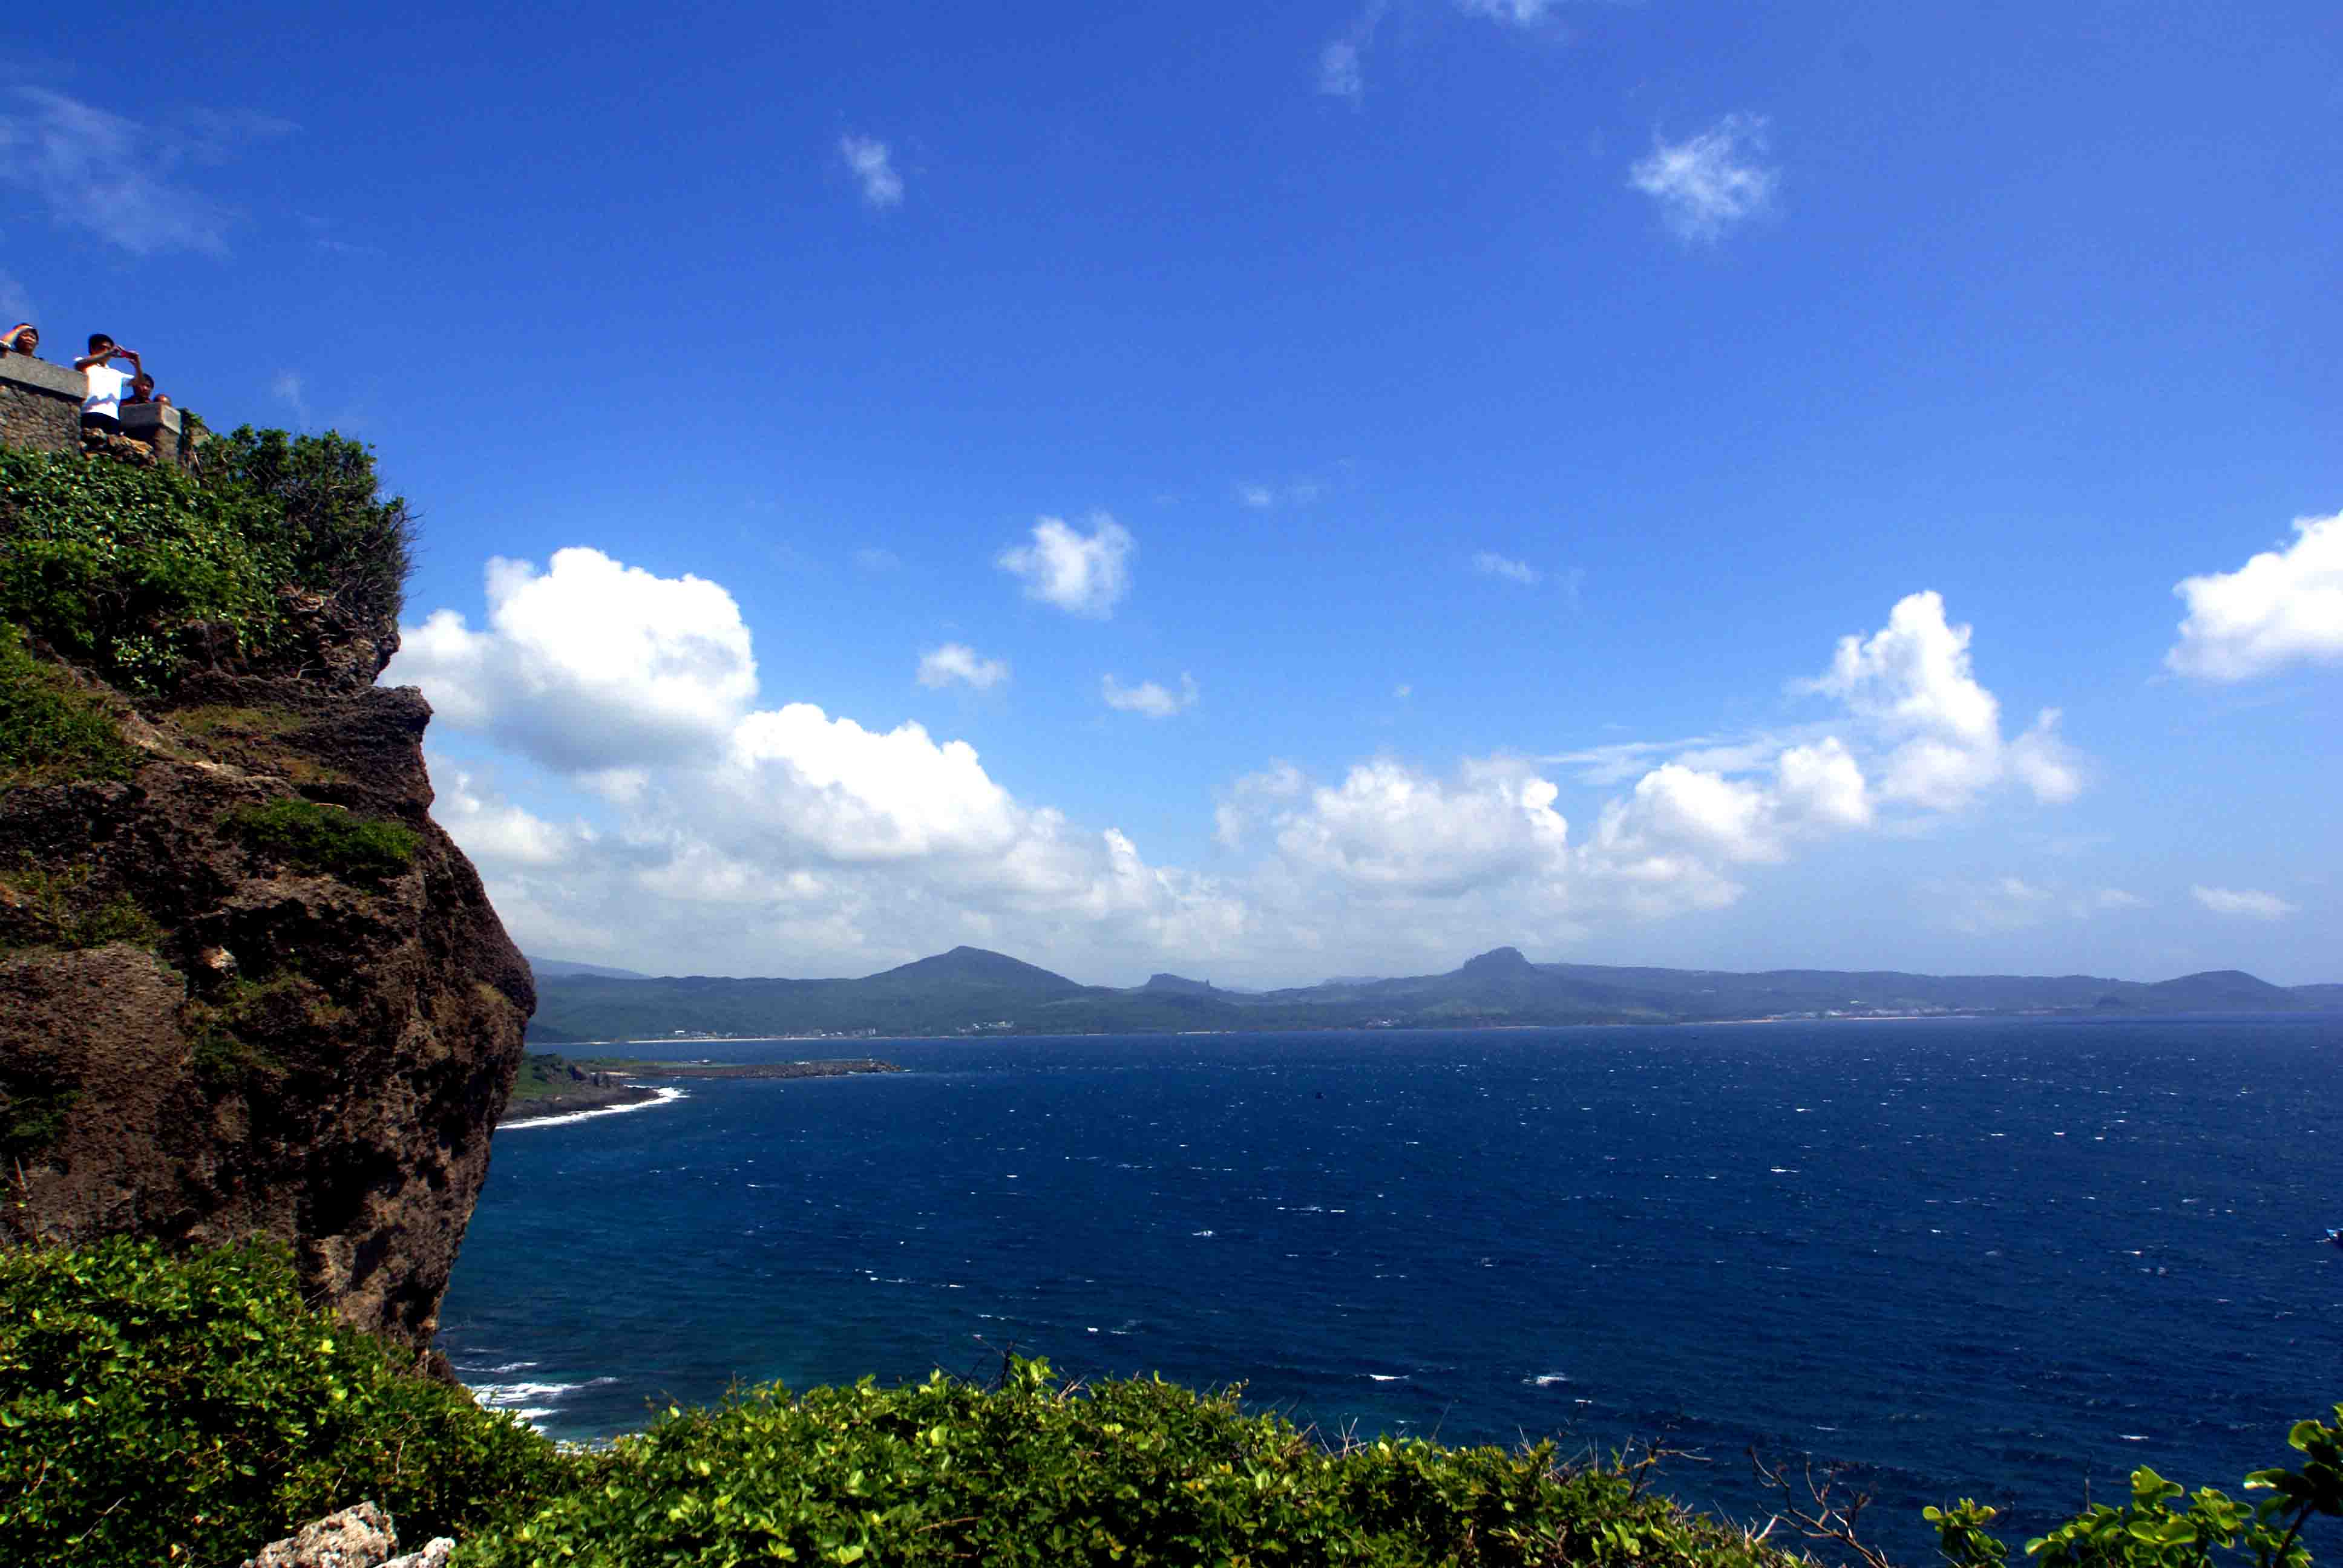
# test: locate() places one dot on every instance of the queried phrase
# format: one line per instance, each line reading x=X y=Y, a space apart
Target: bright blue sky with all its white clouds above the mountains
x=1295 y=491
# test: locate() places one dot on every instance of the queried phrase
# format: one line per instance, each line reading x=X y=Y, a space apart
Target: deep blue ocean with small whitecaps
x=1981 y=1257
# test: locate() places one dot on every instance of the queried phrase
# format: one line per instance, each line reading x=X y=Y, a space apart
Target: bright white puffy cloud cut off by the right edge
x=2276 y=611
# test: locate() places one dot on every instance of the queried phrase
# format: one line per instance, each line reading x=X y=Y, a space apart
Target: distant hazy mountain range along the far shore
x=983 y=993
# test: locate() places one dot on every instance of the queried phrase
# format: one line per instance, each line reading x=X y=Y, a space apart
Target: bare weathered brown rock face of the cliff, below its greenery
x=210 y=1030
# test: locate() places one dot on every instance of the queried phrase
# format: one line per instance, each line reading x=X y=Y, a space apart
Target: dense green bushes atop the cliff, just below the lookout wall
x=146 y=573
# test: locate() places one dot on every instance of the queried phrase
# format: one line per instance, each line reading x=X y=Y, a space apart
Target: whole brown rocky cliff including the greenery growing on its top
x=247 y=986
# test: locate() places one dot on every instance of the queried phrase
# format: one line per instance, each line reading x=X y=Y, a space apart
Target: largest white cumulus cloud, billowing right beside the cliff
x=756 y=838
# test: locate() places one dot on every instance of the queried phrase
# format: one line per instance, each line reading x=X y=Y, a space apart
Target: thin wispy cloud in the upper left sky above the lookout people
x=118 y=177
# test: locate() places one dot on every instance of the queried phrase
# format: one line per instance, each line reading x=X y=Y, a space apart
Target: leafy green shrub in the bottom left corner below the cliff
x=191 y=1410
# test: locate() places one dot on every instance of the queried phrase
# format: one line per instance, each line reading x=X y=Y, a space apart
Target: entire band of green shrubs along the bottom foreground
x=191 y=1410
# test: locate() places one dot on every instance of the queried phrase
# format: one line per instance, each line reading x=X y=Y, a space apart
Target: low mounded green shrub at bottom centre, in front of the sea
x=1133 y=1473
